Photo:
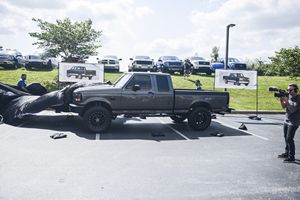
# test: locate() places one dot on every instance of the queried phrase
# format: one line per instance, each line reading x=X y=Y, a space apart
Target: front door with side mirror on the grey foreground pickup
x=141 y=99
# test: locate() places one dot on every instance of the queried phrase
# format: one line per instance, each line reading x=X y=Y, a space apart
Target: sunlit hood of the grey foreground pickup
x=96 y=89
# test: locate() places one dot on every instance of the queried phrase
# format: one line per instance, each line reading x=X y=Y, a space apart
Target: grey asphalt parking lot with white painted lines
x=149 y=158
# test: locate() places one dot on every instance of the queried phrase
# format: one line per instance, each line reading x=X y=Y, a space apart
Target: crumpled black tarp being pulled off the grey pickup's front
x=15 y=104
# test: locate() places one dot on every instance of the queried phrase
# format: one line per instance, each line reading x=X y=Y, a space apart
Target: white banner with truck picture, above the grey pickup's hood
x=76 y=72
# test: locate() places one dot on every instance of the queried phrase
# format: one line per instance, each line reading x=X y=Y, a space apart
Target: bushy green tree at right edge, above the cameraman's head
x=286 y=62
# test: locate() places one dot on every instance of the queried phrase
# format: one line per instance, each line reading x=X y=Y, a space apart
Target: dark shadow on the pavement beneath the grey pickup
x=129 y=128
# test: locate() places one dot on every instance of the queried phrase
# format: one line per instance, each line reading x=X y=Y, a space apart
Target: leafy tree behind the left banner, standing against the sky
x=72 y=41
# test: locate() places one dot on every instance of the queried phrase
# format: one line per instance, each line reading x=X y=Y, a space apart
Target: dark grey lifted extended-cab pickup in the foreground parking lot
x=146 y=94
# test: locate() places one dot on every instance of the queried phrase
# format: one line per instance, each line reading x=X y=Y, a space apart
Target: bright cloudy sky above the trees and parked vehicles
x=162 y=27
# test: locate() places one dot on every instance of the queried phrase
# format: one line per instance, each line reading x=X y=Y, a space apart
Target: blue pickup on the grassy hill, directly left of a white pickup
x=170 y=64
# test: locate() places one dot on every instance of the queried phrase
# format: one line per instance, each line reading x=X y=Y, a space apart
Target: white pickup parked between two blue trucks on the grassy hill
x=200 y=65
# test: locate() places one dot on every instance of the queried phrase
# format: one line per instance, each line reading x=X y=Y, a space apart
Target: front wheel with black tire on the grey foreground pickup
x=97 y=119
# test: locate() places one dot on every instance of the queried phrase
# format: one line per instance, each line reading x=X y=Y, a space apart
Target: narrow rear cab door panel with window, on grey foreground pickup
x=164 y=93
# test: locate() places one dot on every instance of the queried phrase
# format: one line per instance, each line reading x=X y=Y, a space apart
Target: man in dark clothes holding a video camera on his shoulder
x=291 y=103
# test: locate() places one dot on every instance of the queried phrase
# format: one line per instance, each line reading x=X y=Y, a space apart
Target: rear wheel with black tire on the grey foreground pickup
x=199 y=118
